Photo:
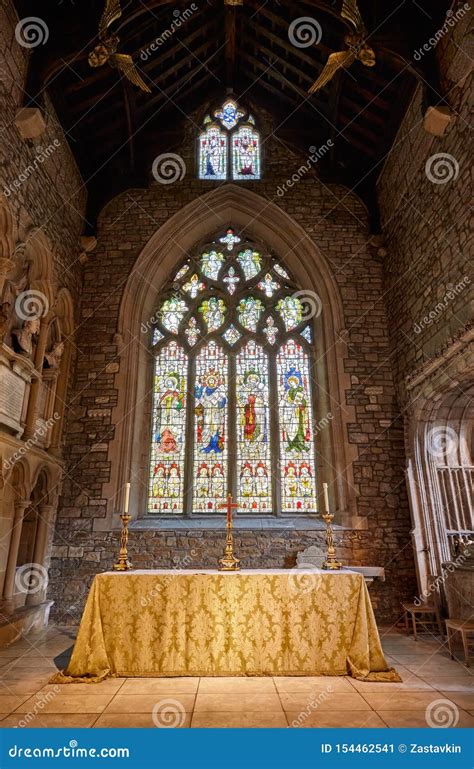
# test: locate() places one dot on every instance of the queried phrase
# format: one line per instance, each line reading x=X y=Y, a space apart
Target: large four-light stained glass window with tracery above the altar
x=232 y=395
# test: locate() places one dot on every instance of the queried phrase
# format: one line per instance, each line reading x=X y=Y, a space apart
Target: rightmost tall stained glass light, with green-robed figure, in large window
x=296 y=431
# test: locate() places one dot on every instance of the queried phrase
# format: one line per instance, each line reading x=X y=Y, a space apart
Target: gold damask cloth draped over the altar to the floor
x=248 y=623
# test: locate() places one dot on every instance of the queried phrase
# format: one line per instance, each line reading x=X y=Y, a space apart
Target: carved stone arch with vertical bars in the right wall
x=440 y=467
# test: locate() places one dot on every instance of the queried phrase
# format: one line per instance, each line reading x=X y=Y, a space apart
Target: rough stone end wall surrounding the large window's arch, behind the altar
x=337 y=221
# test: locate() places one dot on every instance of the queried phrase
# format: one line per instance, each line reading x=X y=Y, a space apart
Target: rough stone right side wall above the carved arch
x=427 y=223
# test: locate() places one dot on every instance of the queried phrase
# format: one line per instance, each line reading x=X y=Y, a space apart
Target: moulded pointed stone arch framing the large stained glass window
x=262 y=221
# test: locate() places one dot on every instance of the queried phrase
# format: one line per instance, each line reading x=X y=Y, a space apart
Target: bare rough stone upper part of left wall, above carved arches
x=50 y=195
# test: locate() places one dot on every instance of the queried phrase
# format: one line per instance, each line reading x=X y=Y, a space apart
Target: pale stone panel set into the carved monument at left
x=16 y=373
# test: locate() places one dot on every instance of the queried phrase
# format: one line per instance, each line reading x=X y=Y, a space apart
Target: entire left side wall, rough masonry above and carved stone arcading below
x=42 y=204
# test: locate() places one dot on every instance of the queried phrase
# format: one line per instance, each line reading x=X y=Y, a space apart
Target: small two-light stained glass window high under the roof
x=229 y=145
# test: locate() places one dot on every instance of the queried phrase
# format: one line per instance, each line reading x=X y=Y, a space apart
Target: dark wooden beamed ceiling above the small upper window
x=115 y=130
